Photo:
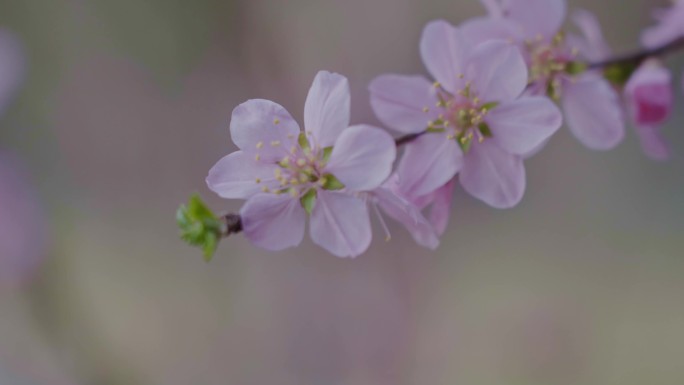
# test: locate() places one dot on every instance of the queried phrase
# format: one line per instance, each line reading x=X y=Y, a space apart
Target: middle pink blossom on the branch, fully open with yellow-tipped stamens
x=476 y=119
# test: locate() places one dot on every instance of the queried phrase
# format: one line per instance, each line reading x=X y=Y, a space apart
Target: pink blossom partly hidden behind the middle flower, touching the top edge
x=592 y=108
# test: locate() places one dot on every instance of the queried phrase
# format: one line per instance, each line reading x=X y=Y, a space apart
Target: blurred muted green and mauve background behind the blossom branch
x=117 y=110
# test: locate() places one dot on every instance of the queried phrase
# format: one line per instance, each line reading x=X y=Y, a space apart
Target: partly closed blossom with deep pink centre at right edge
x=649 y=99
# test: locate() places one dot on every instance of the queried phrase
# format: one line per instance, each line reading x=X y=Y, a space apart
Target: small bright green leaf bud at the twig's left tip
x=198 y=226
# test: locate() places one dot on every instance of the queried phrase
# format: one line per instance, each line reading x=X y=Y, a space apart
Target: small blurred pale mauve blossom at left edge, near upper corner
x=11 y=67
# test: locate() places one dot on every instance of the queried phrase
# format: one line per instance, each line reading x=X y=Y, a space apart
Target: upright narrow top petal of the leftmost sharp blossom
x=327 y=108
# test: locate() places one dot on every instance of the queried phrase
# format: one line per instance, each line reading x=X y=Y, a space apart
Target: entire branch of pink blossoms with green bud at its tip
x=500 y=86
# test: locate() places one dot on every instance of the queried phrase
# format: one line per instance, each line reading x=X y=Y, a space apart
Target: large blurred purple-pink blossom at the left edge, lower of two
x=22 y=226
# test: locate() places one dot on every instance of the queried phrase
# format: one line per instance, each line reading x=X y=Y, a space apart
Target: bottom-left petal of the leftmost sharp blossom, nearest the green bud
x=273 y=222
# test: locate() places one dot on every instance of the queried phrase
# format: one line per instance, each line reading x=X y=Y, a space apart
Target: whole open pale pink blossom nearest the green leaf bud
x=287 y=174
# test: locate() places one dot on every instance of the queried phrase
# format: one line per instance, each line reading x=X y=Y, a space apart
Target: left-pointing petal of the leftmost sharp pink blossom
x=235 y=176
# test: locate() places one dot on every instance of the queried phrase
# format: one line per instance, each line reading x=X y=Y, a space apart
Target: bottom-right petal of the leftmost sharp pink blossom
x=340 y=224
